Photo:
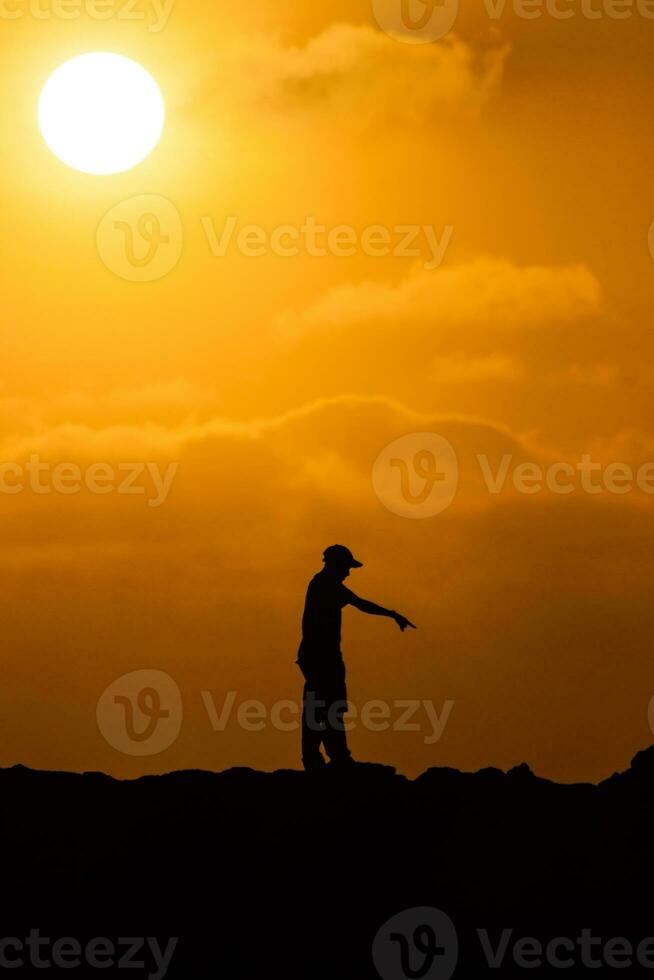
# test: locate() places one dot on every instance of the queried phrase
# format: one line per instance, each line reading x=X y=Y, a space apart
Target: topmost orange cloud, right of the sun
x=361 y=72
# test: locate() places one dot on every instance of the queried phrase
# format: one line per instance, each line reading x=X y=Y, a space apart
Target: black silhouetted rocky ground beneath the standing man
x=293 y=874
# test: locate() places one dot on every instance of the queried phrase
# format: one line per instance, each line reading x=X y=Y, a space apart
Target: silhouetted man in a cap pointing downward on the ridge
x=321 y=661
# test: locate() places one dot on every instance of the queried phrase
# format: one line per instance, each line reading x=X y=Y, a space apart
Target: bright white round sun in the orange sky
x=101 y=113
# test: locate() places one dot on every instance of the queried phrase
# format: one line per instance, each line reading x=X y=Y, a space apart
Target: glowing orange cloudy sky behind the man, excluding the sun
x=274 y=382
